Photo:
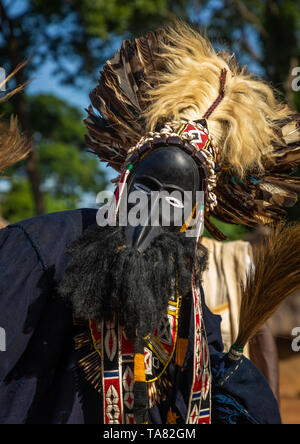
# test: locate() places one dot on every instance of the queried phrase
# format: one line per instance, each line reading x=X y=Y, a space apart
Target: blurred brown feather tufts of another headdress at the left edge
x=13 y=145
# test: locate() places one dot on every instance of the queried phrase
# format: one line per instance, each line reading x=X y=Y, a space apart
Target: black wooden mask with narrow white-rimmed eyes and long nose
x=171 y=172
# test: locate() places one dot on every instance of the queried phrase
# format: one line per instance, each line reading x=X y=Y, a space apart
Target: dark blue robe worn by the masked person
x=40 y=381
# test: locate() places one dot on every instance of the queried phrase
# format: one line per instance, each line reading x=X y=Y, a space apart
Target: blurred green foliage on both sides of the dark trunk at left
x=66 y=170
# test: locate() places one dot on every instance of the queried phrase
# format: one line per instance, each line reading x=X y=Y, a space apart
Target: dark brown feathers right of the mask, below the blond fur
x=263 y=199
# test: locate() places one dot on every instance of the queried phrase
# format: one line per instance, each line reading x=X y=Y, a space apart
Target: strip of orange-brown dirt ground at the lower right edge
x=289 y=367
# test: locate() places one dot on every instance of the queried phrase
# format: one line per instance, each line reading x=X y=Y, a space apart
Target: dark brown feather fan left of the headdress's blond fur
x=115 y=121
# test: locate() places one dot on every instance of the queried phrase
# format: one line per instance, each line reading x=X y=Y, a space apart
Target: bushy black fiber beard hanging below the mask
x=105 y=277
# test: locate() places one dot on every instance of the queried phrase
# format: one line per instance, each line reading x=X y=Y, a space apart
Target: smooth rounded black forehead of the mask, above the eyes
x=169 y=166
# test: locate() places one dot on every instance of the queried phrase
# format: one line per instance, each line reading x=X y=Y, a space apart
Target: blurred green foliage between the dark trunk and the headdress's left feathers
x=64 y=162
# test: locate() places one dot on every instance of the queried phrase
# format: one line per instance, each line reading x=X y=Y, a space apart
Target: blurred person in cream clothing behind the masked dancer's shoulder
x=229 y=263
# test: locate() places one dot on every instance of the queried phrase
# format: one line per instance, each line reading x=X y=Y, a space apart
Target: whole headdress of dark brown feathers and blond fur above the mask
x=175 y=75
